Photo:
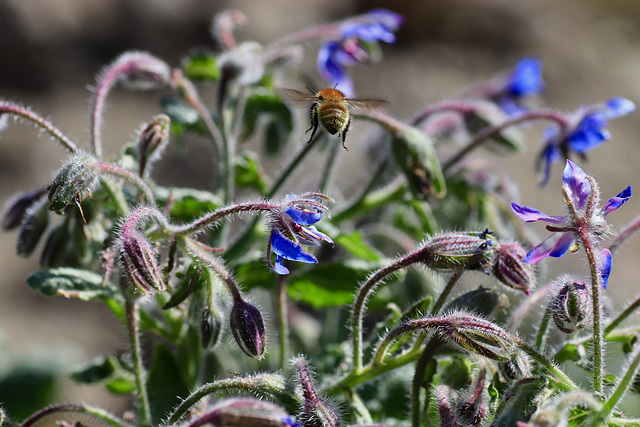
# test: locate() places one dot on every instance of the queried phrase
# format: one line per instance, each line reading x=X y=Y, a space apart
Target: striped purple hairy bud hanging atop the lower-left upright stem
x=139 y=263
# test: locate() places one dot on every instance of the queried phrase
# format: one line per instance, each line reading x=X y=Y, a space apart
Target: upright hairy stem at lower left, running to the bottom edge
x=133 y=320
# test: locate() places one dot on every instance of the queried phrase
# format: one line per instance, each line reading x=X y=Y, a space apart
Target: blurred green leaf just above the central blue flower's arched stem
x=187 y=203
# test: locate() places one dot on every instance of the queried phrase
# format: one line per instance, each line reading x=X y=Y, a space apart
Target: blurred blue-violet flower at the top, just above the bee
x=356 y=43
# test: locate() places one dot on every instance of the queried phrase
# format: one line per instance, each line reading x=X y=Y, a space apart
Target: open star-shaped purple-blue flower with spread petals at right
x=582 y=194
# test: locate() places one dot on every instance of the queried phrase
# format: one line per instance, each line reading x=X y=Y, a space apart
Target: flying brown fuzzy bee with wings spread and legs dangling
x=330 y=108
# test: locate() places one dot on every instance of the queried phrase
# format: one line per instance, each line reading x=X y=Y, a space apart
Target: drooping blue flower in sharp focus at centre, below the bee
x=291 y=227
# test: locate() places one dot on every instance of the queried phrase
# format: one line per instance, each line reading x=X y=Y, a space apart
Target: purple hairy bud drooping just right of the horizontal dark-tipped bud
x=509 y=268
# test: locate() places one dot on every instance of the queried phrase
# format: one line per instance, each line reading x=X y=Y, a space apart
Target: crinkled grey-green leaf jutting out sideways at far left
x=72 y=283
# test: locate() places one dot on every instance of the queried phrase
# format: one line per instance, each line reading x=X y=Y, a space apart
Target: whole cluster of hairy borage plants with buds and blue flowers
x=356 y=334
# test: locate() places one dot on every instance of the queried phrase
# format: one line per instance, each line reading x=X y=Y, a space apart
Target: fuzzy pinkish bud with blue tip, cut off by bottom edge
x=245 y=412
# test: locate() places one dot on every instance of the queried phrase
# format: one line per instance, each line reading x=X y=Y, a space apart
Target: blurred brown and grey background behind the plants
x=50 y=52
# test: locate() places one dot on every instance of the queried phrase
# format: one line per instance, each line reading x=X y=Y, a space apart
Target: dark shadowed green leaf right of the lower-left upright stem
x=166 y=385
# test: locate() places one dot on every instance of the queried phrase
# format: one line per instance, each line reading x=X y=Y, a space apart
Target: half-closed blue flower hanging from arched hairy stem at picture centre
x=292 y=229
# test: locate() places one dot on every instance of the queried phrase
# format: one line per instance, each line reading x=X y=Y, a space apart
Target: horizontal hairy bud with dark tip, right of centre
x=459 y=251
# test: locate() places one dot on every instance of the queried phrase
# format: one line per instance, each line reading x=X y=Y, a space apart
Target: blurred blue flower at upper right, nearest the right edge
x=586 y=130
